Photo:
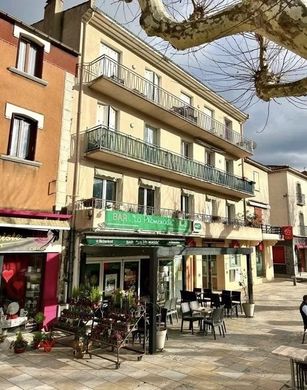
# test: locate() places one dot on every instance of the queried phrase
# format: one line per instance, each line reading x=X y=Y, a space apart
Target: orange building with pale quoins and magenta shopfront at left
x=37 y=75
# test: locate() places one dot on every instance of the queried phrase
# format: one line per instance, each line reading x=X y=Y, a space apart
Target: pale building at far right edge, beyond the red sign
x=288 y=187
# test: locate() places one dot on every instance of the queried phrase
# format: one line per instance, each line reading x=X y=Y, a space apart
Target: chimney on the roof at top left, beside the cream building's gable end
x=52 y=24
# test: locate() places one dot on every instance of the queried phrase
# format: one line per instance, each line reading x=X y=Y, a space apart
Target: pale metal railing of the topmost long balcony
x=117 y=73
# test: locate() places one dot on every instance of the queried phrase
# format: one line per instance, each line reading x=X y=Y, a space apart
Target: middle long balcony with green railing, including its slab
x=123 y=150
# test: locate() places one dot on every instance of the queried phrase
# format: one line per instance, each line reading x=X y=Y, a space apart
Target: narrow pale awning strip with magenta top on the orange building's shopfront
x=34 y=223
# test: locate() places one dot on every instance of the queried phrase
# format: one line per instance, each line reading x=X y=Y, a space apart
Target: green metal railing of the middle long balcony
x=102 y=138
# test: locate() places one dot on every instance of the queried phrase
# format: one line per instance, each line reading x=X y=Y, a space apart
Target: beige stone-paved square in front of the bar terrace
x=241 y=360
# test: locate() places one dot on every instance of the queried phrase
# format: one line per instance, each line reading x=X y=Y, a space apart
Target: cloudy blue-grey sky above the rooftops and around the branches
x=280 y=137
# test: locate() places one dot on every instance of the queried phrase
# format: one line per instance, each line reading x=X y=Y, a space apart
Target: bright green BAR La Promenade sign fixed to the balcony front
x=151 y=223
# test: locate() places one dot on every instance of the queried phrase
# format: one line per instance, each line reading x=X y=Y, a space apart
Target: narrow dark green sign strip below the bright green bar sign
x=104 y=241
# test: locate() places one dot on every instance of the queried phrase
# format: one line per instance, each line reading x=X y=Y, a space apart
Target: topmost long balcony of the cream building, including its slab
x=106 y=76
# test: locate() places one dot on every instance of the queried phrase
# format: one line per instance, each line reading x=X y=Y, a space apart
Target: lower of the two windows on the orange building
x=22 y=137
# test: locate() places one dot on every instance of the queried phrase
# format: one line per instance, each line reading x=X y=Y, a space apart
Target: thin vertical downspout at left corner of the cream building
x=73 y=234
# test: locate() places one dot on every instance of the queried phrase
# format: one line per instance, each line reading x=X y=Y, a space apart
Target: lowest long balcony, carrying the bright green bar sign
x=100 y=215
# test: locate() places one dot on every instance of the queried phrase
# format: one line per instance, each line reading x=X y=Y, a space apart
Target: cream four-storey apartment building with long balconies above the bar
x=158 y=185
